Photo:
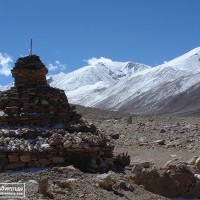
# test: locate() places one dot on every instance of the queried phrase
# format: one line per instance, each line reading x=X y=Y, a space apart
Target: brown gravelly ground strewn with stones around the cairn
x=150 y=141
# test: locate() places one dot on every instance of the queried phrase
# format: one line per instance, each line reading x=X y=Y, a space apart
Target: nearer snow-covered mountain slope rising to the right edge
x=150 y=90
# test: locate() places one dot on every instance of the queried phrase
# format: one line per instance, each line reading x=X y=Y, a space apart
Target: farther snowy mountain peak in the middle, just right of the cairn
x=82 y=85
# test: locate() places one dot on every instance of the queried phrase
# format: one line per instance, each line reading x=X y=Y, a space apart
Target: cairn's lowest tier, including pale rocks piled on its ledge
x=27 y=148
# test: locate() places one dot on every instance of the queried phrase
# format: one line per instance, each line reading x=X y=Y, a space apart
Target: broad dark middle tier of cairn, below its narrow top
x=35 y=106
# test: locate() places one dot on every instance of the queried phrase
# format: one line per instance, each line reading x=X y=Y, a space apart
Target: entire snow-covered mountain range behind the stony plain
x=171 y=88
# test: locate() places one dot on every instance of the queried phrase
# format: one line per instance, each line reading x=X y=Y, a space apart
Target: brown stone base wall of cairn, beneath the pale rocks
x=86 y=160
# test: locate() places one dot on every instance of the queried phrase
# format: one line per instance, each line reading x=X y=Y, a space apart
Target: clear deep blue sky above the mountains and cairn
x=67 y=32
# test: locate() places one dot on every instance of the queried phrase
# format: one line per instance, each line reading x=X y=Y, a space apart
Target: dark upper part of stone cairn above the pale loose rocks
x=32 y=101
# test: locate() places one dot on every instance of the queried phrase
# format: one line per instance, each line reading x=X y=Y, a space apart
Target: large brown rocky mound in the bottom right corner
x=170 y=181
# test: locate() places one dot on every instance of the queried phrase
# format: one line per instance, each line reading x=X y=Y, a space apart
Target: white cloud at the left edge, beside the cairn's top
x=5 y=64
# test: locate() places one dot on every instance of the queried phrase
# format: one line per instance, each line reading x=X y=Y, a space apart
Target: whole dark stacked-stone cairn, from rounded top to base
x=38 y=127
